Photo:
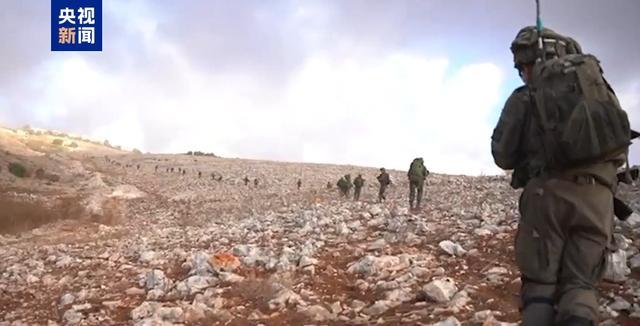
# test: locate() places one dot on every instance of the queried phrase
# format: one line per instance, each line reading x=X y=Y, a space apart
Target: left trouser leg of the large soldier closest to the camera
x=538 y=250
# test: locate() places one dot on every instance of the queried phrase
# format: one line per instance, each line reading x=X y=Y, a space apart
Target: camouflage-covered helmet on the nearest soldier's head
x=526 y=50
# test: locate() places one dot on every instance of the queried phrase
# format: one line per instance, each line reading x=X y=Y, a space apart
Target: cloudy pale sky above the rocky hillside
x=372 y=83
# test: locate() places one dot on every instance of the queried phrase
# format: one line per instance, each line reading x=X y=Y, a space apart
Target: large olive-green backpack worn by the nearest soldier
x=579 y=114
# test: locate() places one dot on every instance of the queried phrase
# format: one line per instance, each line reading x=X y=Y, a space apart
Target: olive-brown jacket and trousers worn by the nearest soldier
x=565 y=221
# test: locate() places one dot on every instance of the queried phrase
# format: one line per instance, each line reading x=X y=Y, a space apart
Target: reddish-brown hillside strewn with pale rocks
x=128 y=240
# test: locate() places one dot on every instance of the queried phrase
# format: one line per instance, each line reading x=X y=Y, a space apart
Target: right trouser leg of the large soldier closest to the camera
x=584 y=255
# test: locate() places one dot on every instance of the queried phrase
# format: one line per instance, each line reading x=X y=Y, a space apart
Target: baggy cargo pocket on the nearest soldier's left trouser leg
x=531 y=253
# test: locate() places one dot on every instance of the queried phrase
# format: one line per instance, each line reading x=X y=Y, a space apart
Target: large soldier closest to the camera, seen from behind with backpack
x=566 y=207
